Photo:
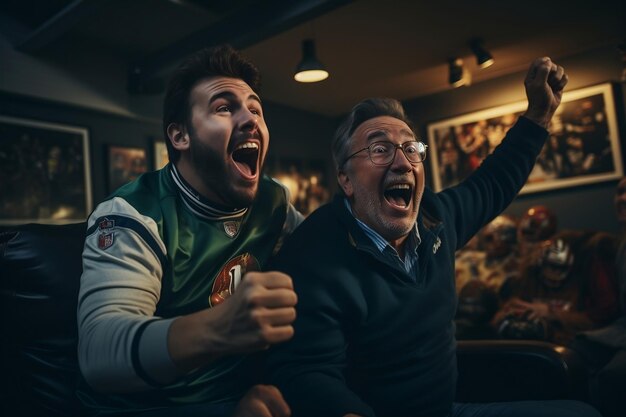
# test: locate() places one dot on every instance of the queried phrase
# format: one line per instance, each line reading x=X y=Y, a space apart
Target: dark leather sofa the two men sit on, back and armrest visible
x=40 y=267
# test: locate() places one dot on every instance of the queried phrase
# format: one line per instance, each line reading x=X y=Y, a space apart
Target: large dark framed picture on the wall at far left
x=44 y=172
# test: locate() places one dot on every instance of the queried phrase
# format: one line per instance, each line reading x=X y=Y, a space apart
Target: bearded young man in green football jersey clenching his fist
x=160 y=322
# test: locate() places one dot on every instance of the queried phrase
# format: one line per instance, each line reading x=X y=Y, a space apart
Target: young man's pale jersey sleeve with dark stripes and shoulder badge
x=122 y=345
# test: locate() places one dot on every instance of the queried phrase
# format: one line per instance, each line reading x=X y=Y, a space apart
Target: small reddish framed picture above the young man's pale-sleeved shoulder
x=124 y=165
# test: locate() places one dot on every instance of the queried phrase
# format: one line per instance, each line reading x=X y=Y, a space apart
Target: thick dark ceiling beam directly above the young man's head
x=240 y=29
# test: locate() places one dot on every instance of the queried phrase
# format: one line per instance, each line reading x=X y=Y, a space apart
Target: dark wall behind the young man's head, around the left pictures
x=293 y=133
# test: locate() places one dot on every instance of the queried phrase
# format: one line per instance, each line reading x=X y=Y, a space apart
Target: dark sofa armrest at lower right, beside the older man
x=514 y=370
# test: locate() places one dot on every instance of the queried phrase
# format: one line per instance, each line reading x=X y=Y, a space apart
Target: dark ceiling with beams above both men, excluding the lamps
x=371 y=47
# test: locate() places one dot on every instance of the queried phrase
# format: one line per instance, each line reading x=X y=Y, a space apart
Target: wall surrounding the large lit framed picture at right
x=579 y=207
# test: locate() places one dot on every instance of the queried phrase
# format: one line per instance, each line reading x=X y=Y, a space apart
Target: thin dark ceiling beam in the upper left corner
x=57 y=25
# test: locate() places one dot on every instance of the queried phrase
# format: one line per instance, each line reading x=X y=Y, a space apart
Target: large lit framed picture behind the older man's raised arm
x=583 y=146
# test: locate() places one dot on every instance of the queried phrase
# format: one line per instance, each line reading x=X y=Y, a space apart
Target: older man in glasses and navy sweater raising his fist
x=374 y=270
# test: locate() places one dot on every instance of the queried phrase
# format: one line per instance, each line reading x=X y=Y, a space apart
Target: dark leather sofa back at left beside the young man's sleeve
x=40 y=268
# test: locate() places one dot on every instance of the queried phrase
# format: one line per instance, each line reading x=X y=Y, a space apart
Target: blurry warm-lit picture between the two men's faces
x=307 y=181
